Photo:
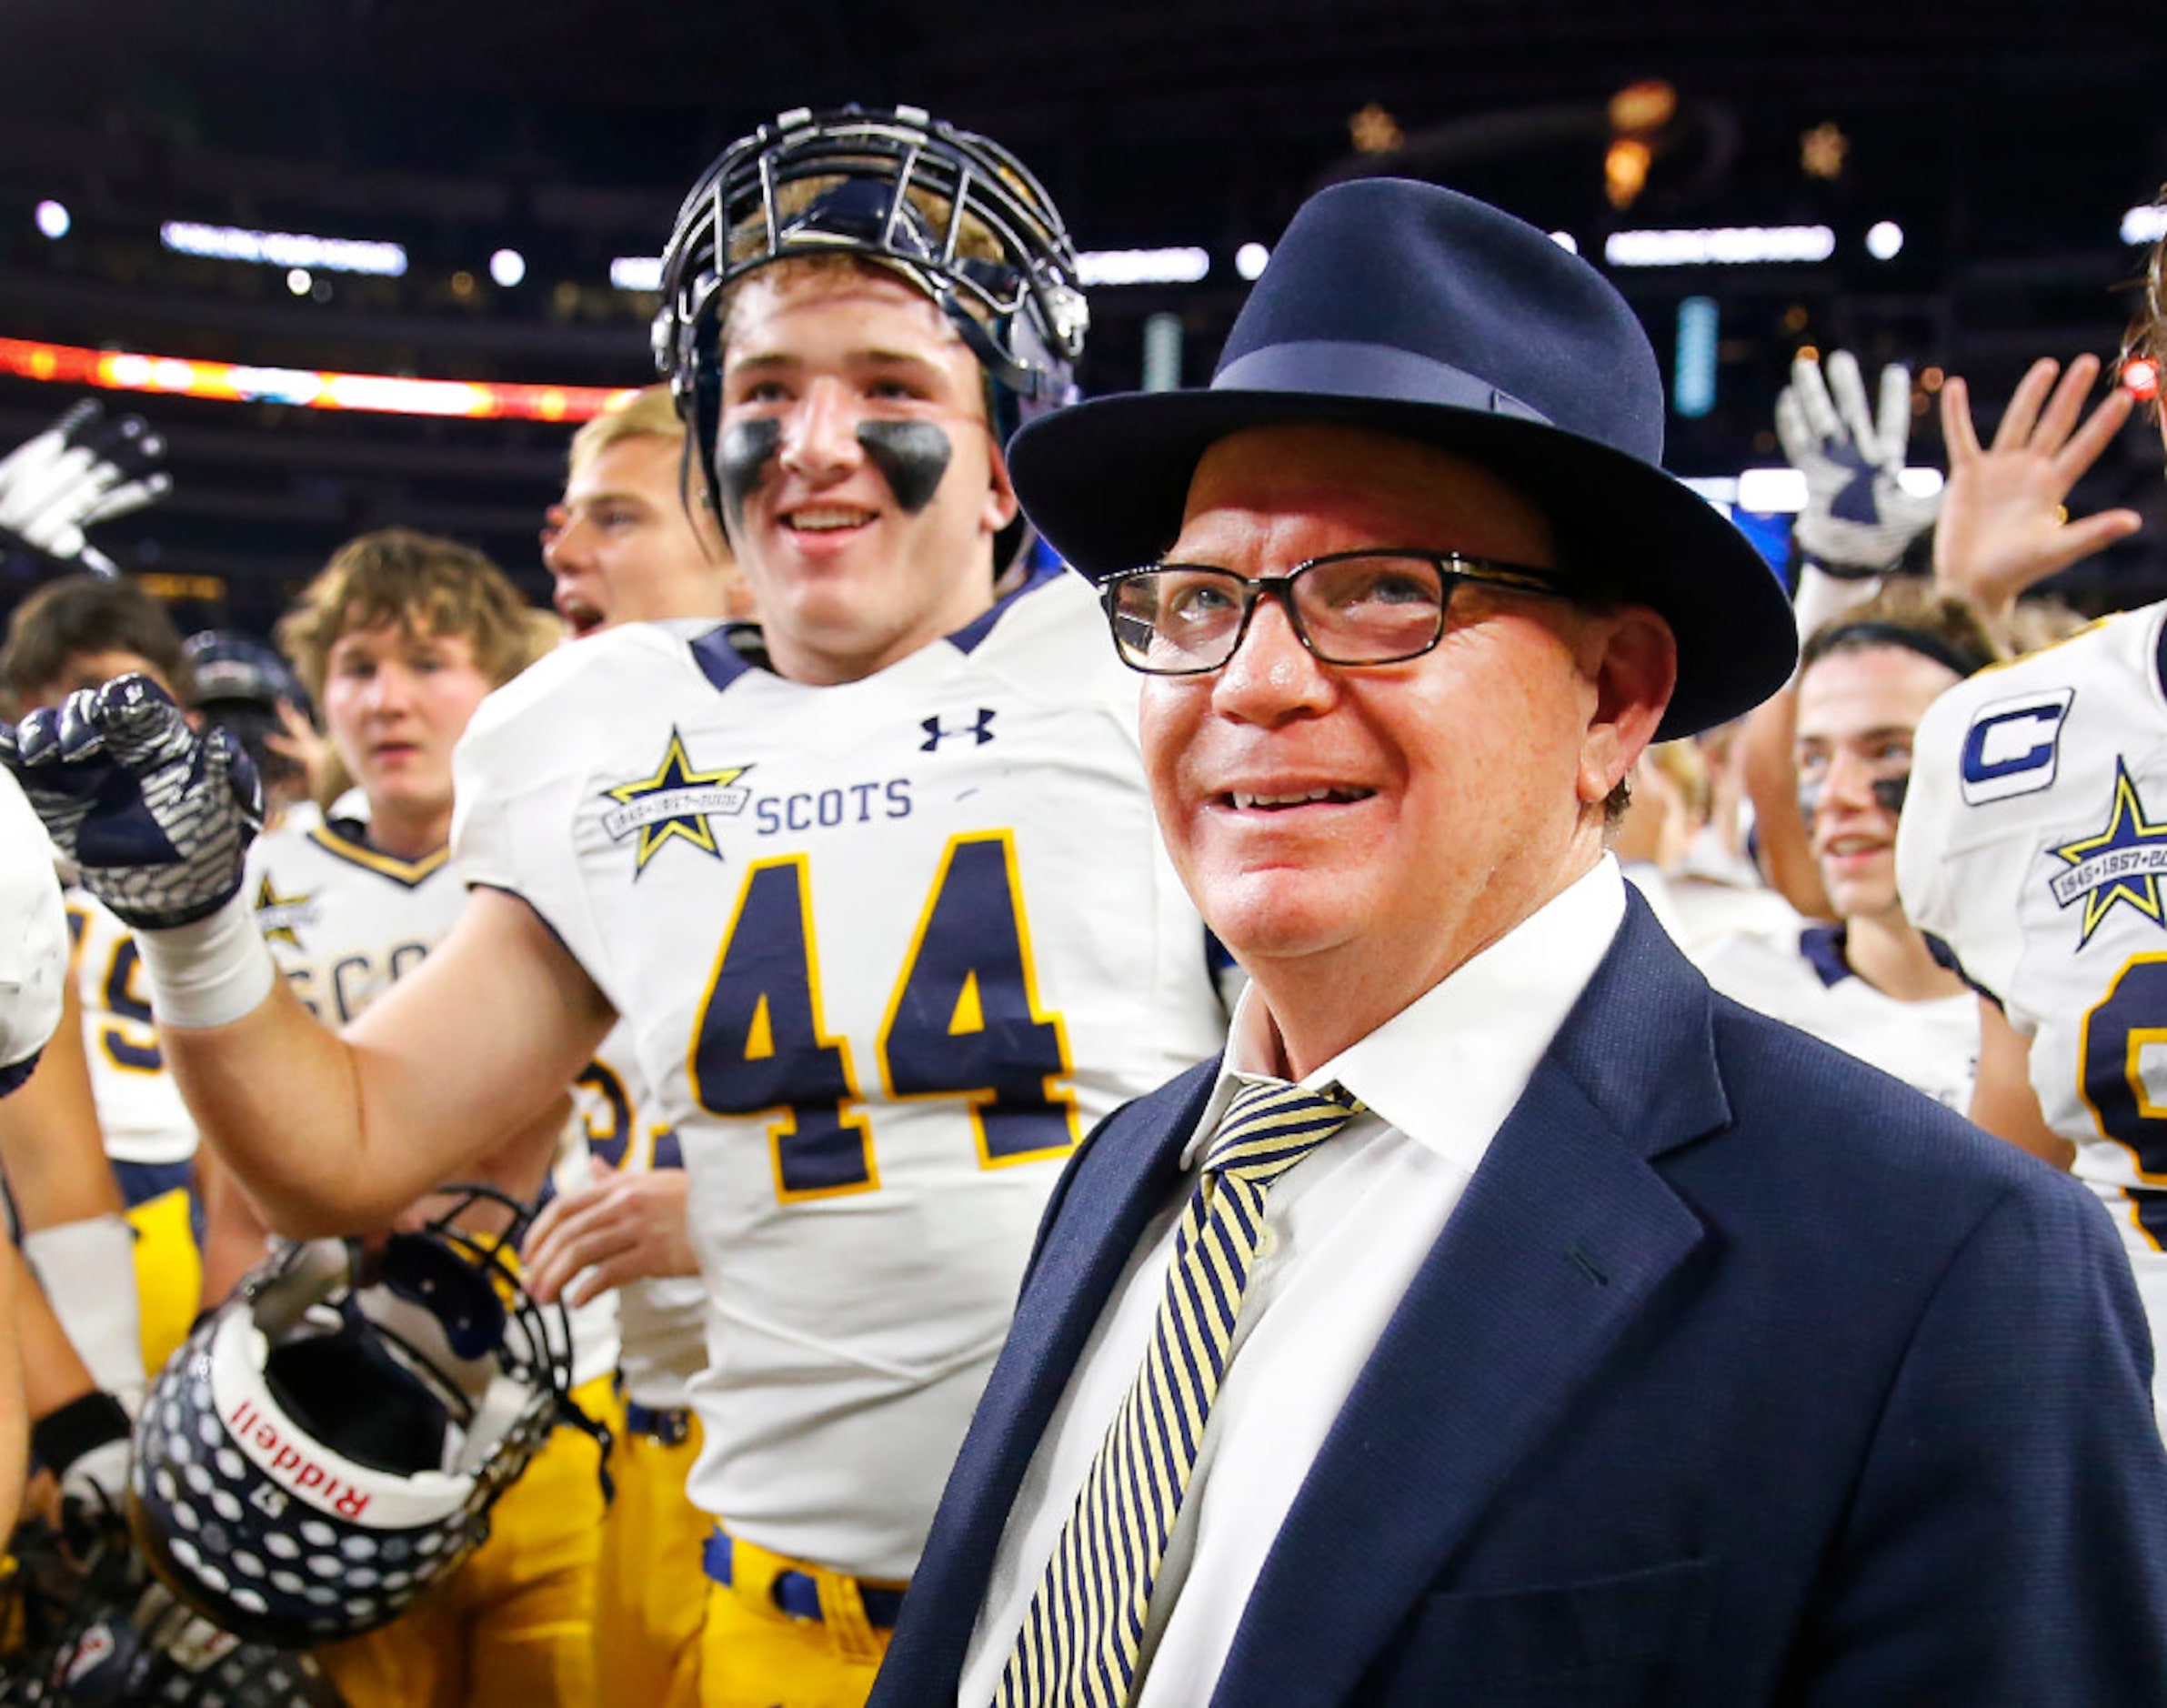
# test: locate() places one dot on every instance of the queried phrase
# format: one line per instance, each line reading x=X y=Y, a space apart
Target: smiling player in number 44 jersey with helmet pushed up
x=844 y=877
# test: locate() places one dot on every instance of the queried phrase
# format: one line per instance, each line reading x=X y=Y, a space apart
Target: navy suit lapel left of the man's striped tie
x=1117 y=1182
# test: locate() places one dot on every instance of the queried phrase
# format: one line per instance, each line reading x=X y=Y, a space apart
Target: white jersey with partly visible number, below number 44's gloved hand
x=140 y=1107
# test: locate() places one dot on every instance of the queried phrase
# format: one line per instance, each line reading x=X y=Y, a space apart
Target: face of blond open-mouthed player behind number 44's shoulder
x=623 y=545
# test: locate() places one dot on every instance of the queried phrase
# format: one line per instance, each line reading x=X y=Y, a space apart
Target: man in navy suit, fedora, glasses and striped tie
x=1618 y=1345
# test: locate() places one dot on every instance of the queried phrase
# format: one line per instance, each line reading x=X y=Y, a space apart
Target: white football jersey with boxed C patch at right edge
x=2034 y=842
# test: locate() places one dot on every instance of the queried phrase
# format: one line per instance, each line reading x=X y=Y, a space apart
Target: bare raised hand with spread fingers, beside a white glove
x=2003 y=521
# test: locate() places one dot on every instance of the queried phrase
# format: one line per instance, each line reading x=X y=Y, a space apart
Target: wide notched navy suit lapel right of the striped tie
x=1561 y=1239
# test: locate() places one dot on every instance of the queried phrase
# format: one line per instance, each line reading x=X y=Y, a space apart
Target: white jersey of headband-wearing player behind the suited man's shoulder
x=1804 y=979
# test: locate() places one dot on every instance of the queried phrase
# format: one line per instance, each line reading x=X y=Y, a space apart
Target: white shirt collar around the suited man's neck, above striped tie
x=1479 y=1031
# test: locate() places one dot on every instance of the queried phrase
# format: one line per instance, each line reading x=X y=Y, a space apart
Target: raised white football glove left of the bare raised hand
x=1858 y=519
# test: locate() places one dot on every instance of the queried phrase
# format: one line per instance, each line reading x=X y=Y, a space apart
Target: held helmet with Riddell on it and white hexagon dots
x=330 y=1440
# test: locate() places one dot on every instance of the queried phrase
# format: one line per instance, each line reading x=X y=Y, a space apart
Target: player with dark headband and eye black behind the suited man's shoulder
x=1871 y=983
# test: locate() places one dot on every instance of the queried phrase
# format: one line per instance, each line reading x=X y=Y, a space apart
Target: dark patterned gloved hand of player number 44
x=155 y=816
